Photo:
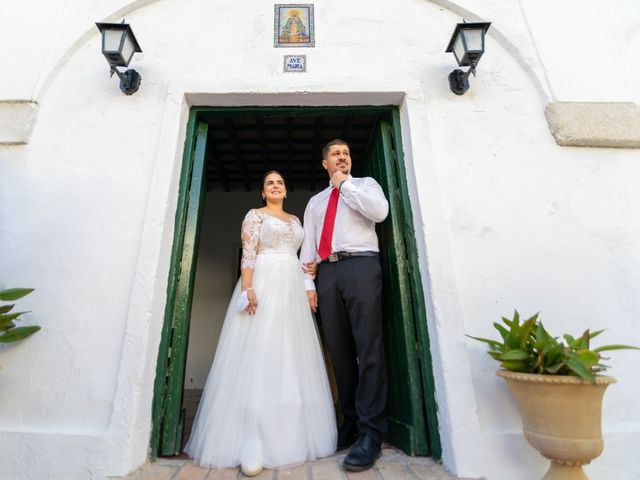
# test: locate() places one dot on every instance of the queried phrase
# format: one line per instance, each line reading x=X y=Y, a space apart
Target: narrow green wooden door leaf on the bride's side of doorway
x=168 y=414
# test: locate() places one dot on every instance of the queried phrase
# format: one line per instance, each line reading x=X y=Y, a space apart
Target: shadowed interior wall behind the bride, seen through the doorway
x=216 y=272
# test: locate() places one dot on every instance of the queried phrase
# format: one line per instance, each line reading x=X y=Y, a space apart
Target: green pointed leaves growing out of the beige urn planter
x=528 y=347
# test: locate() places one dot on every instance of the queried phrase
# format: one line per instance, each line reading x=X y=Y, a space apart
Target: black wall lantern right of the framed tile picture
x=467 y=45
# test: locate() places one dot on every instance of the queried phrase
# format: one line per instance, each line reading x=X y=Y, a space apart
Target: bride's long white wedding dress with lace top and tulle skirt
x=267 y=400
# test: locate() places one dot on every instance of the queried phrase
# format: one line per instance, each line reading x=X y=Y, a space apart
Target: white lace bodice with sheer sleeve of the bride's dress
x=265 y=233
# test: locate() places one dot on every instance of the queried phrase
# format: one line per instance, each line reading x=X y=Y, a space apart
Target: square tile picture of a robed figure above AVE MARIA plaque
x=293 y=25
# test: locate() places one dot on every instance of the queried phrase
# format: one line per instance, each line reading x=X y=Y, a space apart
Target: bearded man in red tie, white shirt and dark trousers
x=339 y=224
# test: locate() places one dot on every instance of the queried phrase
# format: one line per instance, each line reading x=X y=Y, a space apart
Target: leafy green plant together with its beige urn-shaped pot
x=558 y=387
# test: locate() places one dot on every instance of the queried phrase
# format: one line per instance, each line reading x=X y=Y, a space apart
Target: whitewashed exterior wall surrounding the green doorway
x=504 y=217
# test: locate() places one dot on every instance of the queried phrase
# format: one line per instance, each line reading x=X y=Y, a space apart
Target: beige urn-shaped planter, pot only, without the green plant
x=561 y=418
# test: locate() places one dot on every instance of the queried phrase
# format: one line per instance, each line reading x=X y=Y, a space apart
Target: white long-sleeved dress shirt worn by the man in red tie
x=361 y=205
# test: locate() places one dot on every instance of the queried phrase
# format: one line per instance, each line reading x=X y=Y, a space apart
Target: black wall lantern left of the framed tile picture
x=118 y=46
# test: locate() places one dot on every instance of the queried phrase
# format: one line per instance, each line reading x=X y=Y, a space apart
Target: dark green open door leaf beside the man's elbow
x=406 y=403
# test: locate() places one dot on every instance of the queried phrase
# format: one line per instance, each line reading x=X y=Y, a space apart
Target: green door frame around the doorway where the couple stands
x=167 y=401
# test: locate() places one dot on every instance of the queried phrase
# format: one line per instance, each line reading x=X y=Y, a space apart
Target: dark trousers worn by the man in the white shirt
x=349 y=302
